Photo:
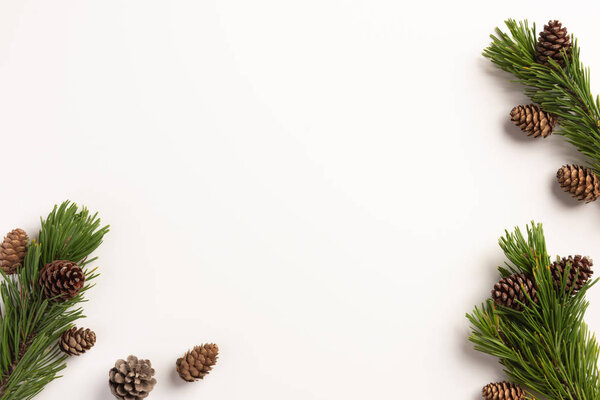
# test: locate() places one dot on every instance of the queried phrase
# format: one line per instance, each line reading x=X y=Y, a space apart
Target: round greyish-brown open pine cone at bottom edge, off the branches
x=131 y=379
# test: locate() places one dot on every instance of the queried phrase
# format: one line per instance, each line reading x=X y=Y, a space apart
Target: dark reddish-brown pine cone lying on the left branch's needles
x=62 y=280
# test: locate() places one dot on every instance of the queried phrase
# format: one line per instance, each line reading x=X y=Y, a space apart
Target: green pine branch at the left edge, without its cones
x=31 y=324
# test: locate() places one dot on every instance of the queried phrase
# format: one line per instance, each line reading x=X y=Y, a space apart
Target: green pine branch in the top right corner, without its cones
x=564 y=91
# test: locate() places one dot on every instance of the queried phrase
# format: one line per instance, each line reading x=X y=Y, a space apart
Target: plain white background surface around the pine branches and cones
x=317 y=186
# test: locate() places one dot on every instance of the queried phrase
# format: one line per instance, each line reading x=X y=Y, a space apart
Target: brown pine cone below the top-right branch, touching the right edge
x=582 y=183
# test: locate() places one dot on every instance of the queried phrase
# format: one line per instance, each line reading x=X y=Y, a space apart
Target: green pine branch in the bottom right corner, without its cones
x=547 y=348
